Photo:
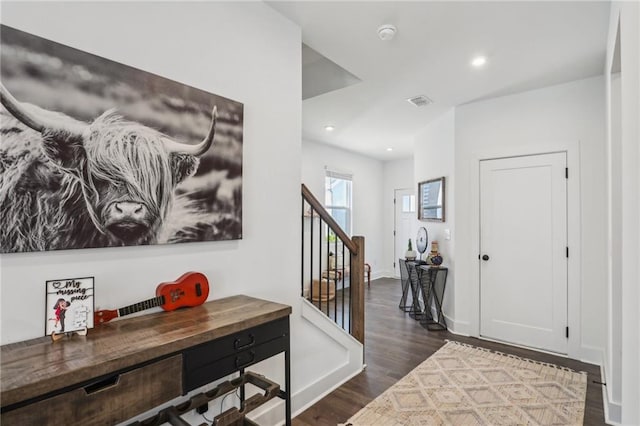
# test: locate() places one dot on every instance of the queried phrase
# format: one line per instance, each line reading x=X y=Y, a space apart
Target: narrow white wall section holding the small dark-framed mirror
x=434 y=156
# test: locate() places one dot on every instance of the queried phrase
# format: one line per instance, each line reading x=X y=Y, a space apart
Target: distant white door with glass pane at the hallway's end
x=405 y=217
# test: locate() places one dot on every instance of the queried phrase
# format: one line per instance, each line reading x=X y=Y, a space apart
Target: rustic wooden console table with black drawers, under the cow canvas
x=126 y=367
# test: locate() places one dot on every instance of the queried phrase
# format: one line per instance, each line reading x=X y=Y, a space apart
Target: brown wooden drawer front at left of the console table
x=109 y=401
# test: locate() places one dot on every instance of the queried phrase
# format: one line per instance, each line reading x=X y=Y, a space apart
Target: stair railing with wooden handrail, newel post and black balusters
x=333 y=268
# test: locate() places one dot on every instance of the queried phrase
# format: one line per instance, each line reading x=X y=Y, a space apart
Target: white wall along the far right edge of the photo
x=623 y=351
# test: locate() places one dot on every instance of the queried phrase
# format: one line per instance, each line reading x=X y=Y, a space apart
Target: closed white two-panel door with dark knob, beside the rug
x=523 y=249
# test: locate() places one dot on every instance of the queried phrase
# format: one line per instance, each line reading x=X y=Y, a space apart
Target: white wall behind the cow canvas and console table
x=244 y=51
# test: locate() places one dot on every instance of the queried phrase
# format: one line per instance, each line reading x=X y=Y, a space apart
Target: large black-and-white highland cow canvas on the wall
x=94 y=153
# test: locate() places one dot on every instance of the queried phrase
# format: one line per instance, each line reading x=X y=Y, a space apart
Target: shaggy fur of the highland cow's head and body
x=55 y=195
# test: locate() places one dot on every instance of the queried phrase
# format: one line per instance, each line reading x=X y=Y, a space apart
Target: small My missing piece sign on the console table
x=69 y=305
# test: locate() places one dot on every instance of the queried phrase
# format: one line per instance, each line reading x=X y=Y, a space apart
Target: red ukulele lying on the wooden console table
x=191 y=289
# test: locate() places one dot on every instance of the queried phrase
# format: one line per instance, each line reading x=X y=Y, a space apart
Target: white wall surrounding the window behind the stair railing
x=367 y=193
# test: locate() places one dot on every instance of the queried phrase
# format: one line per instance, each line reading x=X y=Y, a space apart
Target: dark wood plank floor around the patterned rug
x=395 y=344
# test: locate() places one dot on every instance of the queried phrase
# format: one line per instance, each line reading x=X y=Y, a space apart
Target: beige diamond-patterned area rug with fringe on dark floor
x=466 y=385
